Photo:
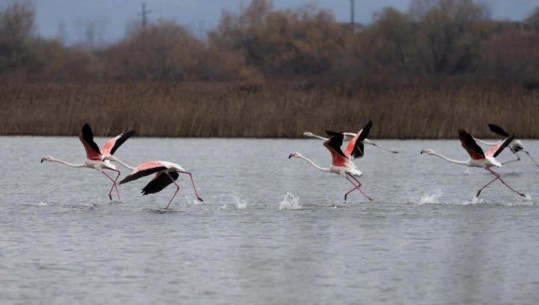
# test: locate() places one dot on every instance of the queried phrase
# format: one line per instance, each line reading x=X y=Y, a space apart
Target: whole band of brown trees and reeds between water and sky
x=271 y=73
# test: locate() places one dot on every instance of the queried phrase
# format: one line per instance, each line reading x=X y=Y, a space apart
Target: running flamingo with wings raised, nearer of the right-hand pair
x=478 y=157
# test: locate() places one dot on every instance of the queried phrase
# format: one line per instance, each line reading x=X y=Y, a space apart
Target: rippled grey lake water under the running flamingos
x=271 y=230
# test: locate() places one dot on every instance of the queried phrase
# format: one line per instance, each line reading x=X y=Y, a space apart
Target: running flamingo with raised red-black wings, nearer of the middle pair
x=342 y=162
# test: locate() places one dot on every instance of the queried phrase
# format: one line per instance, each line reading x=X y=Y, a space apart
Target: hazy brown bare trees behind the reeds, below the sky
x=435 y=41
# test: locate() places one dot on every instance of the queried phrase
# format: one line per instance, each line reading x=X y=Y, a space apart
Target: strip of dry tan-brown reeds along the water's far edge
x=231 y=110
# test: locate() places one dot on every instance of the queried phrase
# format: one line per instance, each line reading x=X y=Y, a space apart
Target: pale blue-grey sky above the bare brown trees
x=69 y=19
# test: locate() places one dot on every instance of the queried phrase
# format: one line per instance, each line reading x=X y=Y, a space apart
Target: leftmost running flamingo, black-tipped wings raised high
x=98 y=159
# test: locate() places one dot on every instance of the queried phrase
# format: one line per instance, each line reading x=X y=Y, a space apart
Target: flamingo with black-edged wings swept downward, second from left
x=165 y=174
